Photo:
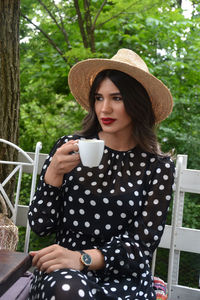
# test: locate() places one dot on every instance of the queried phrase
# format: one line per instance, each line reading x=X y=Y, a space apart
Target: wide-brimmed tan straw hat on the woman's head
x=82 y=75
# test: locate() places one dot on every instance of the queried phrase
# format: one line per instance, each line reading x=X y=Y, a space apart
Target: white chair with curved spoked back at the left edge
x=25 y=164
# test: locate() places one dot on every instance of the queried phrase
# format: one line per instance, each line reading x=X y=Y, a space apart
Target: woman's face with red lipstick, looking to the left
x=110 y=110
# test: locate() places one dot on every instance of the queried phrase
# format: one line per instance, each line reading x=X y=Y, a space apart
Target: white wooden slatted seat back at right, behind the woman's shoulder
x=177 y=238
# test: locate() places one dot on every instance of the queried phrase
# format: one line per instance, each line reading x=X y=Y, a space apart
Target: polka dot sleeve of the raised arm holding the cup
x=45 y=208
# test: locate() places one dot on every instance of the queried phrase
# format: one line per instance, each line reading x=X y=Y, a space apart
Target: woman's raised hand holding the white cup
x=62 y=162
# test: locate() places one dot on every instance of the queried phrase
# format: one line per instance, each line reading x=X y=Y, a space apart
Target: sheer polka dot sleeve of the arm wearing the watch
x=132 y=251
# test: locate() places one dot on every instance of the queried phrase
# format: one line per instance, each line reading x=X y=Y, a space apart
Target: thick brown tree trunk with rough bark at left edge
x=9 y=79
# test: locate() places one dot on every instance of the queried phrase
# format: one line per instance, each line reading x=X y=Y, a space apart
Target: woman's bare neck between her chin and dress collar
x=117 y=142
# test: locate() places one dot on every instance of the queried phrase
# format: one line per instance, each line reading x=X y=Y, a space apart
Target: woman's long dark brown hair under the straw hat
x=137 y=105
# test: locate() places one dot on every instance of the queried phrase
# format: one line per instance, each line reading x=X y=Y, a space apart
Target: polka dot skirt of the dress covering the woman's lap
x=73 y=284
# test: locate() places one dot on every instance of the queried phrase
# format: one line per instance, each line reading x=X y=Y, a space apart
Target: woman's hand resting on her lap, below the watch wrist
x=56 y=257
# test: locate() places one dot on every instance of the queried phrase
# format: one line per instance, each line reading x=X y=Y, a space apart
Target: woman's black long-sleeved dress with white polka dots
x=119 y=207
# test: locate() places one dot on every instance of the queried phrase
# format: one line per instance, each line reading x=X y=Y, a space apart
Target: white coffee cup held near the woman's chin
x=91 y=152
